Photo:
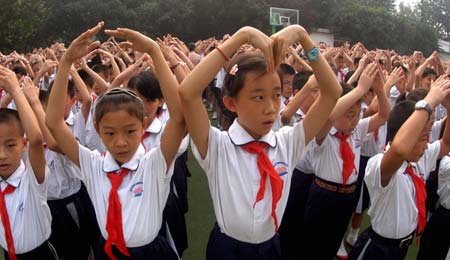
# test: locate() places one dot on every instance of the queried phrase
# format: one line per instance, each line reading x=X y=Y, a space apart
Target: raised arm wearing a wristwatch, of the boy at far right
x=411 y=131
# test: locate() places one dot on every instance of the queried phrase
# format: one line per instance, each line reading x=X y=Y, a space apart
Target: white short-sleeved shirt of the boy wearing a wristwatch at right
x=393 y=210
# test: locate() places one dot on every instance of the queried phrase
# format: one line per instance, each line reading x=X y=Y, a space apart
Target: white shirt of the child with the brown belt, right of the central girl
x=328 y=161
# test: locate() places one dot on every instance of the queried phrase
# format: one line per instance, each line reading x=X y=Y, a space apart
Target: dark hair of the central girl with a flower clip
x=245 y=62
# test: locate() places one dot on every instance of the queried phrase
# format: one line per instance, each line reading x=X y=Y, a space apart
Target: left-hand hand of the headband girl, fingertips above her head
x=80 y=47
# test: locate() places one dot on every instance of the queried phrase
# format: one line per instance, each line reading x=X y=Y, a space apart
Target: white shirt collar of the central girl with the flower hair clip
x=239 y=136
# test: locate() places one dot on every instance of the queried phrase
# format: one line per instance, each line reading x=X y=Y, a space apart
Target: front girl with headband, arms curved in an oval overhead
x=128 y=186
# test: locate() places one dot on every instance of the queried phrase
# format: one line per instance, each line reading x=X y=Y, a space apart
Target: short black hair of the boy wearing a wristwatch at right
x=399 y=114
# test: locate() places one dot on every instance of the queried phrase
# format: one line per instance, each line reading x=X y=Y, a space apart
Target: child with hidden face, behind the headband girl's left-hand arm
x=74 y=227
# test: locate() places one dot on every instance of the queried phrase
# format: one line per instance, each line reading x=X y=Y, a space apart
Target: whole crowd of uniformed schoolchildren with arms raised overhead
x=94 y=139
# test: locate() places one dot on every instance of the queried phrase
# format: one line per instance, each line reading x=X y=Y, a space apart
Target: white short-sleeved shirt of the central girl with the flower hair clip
x=234 y=179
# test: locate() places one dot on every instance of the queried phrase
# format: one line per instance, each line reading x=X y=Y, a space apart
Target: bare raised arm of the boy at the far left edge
x=29 y=123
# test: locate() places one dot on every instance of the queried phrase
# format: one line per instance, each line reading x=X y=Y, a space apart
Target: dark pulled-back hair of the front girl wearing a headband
x=119 y=99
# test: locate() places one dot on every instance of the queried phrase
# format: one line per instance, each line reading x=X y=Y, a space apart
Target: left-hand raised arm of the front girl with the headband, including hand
x=80 y=47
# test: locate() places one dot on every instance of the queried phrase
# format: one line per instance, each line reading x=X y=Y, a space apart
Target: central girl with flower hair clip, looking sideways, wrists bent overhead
x=249 y=168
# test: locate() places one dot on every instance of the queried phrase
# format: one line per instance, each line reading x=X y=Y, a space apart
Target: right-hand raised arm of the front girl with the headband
x=175 y=128
